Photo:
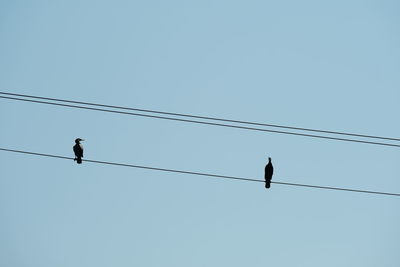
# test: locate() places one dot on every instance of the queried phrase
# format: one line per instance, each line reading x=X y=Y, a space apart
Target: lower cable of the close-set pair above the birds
x=202 y=122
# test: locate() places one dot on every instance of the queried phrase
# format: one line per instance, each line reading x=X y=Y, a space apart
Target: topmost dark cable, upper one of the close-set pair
x=205 y=118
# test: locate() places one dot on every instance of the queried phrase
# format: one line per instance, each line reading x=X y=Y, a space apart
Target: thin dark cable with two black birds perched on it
x=202 y=174
